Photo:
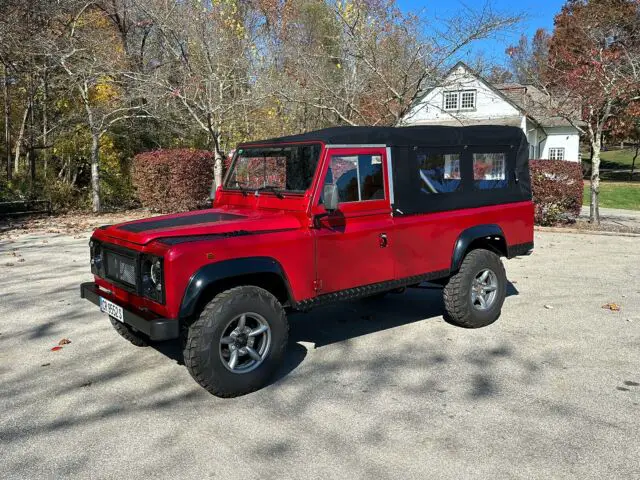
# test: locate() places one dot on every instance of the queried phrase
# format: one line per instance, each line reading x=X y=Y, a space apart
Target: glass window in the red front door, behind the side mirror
x=358 y=177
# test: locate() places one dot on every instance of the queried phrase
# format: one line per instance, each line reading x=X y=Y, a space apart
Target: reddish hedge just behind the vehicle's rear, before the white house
x=557 y=190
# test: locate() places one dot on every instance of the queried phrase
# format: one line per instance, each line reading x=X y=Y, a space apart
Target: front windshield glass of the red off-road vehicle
x=286 y=169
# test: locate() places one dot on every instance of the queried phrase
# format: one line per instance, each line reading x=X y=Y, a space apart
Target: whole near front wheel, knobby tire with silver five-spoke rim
x=238 y=341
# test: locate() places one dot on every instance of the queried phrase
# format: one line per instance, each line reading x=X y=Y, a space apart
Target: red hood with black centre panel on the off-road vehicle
x=202 y=222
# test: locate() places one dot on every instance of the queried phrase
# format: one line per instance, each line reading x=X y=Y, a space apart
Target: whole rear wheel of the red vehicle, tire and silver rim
x=473 y=297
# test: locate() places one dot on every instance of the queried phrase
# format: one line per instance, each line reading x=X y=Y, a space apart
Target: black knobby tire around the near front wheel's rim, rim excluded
x=201 y=352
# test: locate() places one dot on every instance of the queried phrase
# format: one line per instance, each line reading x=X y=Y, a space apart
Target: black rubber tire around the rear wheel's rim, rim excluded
x=457 y=292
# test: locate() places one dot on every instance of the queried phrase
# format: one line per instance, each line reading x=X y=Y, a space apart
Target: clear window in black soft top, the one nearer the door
x=439 y=172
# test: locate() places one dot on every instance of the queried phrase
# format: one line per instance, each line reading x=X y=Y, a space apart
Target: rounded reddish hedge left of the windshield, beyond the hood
x=173 y=180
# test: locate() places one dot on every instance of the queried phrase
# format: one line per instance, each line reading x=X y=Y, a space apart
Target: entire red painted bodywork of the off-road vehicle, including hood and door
x=339 y=252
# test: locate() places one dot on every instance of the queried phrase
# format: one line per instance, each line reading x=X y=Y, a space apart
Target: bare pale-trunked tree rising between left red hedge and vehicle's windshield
x=205 y=65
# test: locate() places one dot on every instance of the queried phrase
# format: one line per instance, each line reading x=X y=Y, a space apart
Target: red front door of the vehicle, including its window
x=353 y=243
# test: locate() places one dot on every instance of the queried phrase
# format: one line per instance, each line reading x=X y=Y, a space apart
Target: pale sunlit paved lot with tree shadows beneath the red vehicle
x=370 y=389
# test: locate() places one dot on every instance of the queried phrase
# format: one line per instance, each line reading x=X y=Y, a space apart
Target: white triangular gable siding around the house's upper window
x=488 y=103
